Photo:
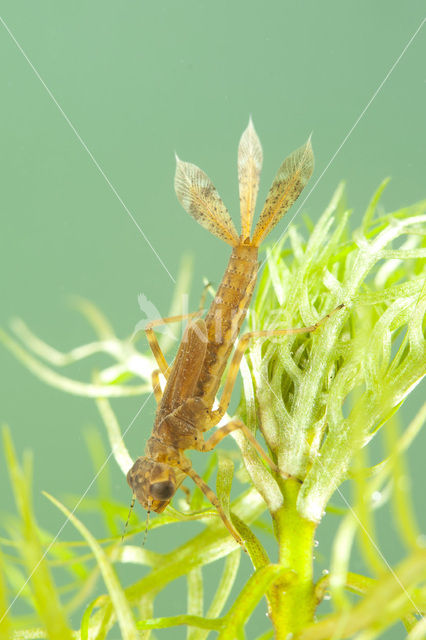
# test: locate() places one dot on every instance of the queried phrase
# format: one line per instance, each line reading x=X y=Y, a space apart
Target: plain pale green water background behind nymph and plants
x=139 y=81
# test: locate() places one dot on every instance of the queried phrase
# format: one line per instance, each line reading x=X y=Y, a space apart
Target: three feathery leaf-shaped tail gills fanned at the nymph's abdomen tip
x=200 y=199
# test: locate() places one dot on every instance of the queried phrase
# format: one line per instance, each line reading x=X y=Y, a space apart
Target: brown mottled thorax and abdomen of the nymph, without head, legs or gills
x=185 y=409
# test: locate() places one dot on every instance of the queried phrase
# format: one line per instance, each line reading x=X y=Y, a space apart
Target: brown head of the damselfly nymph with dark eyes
x=153 y=483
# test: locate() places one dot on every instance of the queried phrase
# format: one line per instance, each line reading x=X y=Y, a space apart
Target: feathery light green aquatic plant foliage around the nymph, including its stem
x=318 y=400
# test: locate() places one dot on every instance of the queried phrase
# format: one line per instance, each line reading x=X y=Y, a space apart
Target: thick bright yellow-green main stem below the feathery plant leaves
x=292 y=600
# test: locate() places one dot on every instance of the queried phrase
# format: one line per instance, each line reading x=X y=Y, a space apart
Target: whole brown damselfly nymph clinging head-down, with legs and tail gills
x=185 y=409
